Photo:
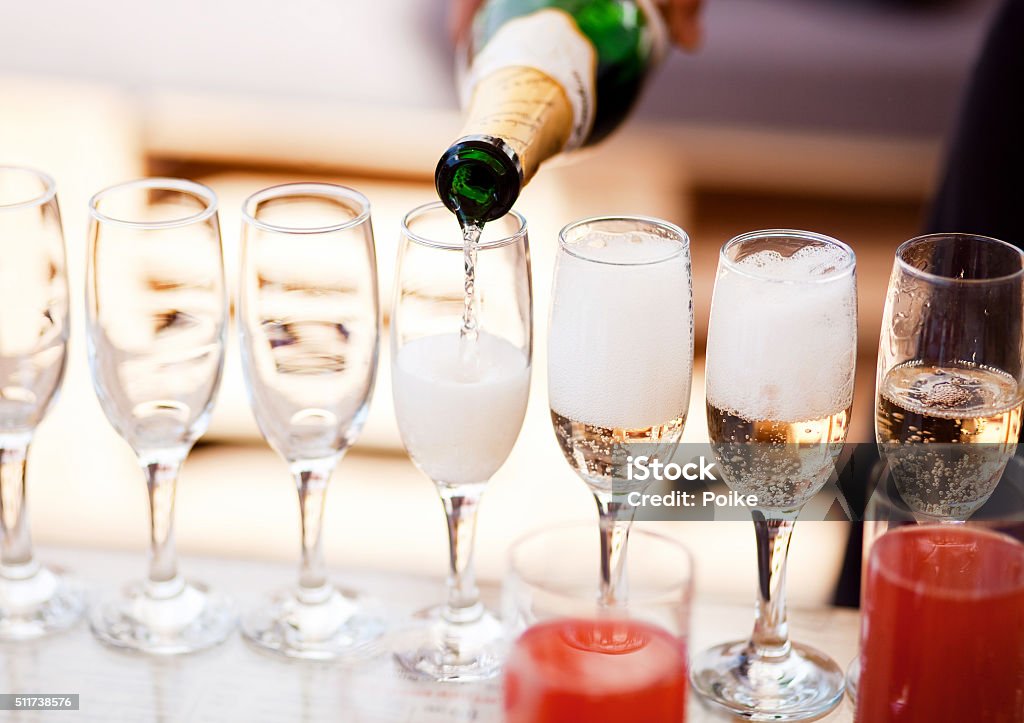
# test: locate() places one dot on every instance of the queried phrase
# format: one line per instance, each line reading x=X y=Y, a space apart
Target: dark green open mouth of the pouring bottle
x=479 y=179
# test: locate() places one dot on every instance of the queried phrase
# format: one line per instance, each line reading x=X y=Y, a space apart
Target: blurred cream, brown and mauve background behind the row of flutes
x=828 y=115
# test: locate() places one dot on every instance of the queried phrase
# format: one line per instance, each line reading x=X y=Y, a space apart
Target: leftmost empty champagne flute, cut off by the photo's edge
x=34 y=326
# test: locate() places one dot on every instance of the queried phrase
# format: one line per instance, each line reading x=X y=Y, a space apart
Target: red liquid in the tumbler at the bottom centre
x=596 y=671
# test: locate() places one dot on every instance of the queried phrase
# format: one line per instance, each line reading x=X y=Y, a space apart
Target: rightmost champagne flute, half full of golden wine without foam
x=951 y=373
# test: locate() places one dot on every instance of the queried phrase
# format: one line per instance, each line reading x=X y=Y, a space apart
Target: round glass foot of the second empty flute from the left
x=192 y=620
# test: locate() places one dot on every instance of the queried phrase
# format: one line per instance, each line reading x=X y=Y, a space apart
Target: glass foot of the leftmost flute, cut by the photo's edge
x=41 y=604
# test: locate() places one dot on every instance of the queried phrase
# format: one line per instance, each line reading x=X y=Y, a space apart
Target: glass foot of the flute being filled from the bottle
x=448 y=652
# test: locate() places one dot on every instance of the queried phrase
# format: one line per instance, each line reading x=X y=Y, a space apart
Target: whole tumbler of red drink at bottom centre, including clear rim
x=580 y=659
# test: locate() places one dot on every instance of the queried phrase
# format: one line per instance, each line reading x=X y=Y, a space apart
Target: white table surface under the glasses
x=235 y=683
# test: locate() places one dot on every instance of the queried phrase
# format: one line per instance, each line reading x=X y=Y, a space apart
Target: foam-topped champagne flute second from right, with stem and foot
x=782 y=351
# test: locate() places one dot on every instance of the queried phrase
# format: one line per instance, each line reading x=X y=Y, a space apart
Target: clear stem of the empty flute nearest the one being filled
x=312 y=478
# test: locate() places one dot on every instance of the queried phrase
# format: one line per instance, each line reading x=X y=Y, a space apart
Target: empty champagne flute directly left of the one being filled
x=310 y=325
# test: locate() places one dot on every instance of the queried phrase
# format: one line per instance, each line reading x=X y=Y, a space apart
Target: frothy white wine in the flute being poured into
x=459 y=421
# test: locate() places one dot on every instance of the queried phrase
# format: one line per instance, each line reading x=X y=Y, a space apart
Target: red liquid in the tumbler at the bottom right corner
x=943 y=628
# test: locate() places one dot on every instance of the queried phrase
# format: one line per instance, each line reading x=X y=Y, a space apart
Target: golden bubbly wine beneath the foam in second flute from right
x=784 y=464
